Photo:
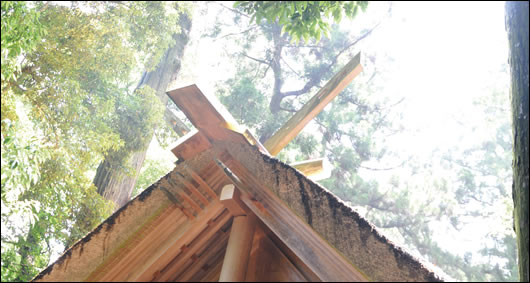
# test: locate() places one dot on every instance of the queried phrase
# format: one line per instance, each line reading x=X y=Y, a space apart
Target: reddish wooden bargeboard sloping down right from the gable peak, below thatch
x=326 y=262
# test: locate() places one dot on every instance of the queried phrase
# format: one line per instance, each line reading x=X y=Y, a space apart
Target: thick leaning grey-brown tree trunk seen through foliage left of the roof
x=114 y=183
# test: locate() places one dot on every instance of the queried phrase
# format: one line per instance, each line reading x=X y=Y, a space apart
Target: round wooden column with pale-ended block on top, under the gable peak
x=240 y=241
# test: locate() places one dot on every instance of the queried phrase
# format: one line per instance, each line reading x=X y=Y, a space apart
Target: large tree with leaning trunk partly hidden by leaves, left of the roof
x=116 y=176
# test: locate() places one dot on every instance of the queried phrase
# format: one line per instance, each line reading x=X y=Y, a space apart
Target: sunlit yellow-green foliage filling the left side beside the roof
x=67 y=101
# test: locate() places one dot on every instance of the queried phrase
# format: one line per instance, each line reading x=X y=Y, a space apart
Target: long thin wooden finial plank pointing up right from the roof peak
x=311 y=109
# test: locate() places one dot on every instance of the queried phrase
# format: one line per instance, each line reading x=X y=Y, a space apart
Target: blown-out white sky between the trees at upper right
x=445 y=54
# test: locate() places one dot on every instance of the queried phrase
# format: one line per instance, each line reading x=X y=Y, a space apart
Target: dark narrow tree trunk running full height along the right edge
x=517 y=27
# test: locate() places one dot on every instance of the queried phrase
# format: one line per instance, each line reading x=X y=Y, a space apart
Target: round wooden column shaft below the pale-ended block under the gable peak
x=238 y=250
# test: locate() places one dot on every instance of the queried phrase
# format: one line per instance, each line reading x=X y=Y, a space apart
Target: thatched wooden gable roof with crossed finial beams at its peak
x=230 y=211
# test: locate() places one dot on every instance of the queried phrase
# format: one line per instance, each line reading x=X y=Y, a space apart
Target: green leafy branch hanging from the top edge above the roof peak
x=302 y=19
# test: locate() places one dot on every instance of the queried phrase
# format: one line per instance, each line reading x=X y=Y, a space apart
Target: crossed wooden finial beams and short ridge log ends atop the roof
x=211 y=118
